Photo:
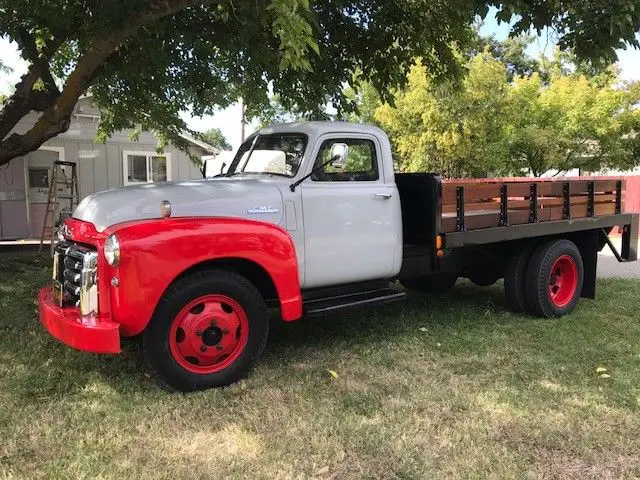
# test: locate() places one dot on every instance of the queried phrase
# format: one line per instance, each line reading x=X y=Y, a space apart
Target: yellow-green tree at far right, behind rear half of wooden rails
x=573 y=122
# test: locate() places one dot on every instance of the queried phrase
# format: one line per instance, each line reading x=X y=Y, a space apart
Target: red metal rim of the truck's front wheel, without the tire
x=208 y=334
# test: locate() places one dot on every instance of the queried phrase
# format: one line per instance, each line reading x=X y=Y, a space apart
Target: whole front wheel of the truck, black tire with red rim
x=208 y=330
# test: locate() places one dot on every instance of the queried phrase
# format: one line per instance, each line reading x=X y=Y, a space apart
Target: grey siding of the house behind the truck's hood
x=99 y=167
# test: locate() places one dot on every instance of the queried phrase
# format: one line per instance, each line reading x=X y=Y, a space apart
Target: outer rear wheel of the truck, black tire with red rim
x=554 y=278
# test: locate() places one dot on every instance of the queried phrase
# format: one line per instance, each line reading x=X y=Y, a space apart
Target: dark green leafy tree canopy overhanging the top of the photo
x=145 y=61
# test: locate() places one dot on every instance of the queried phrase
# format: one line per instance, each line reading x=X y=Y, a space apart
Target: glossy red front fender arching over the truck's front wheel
x=155 y=252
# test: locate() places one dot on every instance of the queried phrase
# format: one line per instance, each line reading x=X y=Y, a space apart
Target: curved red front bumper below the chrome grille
x=65 y=324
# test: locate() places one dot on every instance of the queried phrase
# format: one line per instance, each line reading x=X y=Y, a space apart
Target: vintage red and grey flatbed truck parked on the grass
x=310 y=219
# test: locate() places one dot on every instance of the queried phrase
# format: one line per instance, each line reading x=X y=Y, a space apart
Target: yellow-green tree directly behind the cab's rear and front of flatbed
x=450 y=128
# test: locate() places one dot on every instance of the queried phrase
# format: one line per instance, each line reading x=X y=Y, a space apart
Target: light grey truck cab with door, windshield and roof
x=345 y=221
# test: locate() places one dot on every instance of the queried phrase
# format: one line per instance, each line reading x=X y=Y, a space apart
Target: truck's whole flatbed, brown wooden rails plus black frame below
x=476 y=212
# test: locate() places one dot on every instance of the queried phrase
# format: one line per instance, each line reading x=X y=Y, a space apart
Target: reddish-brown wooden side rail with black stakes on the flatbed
x=473 y=204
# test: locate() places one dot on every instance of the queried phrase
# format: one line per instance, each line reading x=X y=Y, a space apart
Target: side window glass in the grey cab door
x=361 y=164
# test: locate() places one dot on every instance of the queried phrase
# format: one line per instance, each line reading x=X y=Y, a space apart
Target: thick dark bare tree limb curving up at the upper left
x=57 y=116
